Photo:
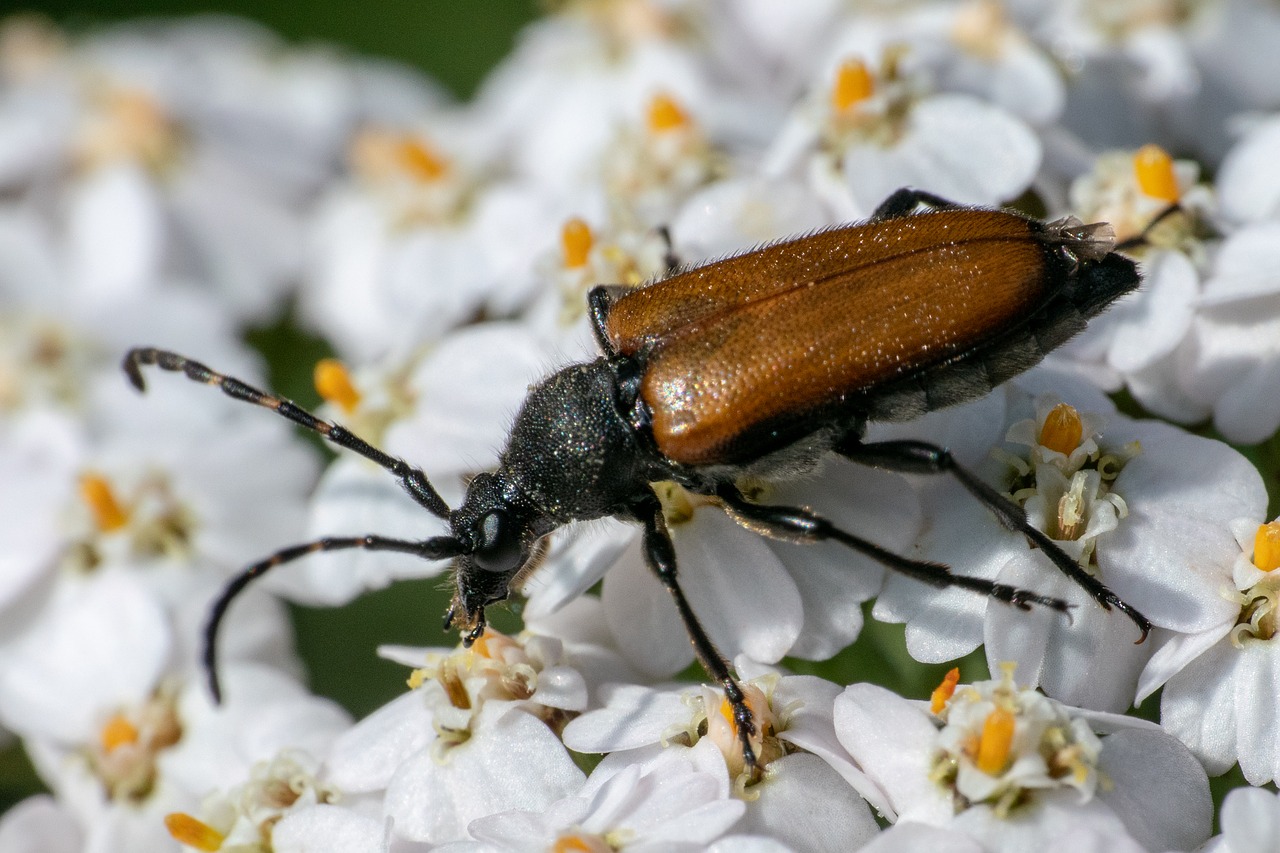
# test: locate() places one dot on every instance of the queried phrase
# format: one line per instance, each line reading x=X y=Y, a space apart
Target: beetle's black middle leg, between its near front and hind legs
x=797 y=524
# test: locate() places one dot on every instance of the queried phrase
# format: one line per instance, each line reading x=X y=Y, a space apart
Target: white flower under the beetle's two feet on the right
x=1142 y=521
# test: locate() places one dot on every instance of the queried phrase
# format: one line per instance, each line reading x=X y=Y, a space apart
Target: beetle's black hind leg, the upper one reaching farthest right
x=922 y=458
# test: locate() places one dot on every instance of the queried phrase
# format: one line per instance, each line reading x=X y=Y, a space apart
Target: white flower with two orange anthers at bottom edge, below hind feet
x=1014 y=769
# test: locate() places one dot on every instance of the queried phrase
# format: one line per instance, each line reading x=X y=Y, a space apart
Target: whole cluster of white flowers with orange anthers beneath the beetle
x=177 y=184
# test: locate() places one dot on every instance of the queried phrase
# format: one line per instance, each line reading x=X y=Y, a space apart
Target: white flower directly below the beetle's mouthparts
x=472 y=740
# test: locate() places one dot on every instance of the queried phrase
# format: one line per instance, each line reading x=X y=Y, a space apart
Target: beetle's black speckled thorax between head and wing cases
x=573 y=451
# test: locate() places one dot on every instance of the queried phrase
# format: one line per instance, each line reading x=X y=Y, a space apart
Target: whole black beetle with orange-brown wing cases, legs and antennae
x=755 y=366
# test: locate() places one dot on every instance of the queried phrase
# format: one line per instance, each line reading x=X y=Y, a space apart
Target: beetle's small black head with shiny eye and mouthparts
x=500 y=544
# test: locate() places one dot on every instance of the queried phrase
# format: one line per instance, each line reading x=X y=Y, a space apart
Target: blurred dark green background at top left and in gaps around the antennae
x=455 y=43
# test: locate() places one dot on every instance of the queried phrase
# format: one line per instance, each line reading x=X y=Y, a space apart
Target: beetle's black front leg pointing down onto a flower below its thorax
x=661 y=555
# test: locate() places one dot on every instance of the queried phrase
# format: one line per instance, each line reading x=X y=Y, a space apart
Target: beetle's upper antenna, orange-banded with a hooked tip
x=413 y=480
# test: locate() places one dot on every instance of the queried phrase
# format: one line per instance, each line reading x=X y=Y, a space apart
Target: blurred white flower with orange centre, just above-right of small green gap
x=415 y=244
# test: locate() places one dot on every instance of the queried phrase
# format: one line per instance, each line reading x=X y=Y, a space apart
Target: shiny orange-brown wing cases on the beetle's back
x=749 y=353
